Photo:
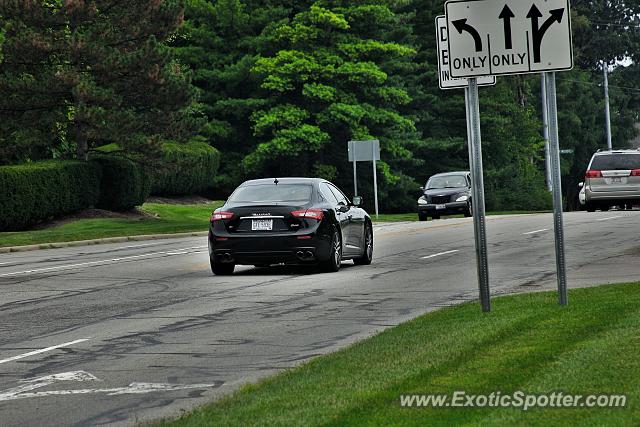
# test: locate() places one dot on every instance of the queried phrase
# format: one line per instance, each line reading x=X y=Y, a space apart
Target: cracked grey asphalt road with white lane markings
x=117 y=334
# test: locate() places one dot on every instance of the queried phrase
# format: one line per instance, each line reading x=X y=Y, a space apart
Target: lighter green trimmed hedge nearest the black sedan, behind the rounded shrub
x=186 y=169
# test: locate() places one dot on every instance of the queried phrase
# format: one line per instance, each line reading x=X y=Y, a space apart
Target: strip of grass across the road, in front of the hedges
x=169 y=219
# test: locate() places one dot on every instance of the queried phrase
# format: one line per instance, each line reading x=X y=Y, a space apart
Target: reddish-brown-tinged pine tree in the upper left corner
x=92 y=72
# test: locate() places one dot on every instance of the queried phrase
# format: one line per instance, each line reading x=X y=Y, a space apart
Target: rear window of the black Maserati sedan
x=272 y=193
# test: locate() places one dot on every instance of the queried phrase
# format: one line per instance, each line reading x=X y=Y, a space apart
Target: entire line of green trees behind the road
x=279 y=87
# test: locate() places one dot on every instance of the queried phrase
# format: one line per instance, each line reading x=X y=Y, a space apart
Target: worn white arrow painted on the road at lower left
x=26 y=389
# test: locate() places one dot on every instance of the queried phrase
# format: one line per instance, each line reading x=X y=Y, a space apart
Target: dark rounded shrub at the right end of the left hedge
x=124 y=184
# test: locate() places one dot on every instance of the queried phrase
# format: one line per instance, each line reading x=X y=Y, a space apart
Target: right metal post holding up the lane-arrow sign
x=557 y=188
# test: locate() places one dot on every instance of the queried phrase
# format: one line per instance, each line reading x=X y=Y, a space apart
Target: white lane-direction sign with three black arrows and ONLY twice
x=494 y=37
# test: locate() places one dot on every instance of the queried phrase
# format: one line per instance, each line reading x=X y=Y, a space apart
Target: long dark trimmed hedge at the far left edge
x=35 y=192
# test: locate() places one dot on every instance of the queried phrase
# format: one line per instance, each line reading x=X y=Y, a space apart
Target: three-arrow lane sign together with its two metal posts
x=494 y=37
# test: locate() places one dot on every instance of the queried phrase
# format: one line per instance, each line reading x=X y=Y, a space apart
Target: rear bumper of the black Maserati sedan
x=252 y=250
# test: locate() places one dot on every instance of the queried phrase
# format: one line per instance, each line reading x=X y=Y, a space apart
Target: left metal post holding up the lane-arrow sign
x=477 y=196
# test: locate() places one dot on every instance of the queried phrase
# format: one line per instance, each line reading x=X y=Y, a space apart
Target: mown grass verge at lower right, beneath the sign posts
x=528 y=343
